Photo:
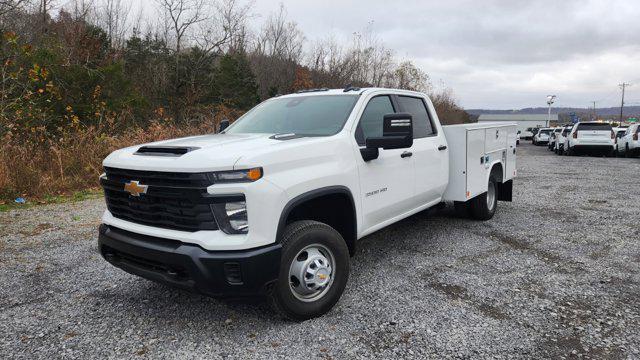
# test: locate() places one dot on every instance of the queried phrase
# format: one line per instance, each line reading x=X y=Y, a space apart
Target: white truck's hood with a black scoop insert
x=209 y=152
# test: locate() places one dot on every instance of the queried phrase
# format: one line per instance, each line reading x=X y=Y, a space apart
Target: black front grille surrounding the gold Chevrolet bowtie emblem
x=177 y=201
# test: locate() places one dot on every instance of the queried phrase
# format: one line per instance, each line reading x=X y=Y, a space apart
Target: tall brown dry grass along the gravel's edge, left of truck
x=73 y=161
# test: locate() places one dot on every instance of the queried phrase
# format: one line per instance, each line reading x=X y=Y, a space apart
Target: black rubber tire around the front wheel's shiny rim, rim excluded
x=296 y=237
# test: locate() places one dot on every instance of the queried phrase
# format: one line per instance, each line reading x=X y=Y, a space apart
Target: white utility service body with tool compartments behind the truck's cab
x=473 y=150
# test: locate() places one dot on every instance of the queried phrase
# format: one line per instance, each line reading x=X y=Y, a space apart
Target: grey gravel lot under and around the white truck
x=554 y=274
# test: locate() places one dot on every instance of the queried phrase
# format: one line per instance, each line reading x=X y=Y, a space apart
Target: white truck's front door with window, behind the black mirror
x=386 y=183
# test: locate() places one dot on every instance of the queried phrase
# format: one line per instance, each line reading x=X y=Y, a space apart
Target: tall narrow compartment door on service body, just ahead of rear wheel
x=476 y=170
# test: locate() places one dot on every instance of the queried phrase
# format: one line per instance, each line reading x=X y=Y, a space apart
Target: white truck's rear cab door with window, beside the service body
x=429 y=152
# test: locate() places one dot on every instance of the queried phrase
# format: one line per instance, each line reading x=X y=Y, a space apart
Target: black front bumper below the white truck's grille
x=188 y=266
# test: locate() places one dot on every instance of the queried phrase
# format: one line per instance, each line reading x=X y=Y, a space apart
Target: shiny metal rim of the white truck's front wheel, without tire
x=312 y=272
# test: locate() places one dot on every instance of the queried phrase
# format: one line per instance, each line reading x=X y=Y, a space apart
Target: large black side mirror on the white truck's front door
x=397 y=133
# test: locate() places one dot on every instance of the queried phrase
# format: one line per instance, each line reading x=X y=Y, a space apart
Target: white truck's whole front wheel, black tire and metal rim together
x=314 y=269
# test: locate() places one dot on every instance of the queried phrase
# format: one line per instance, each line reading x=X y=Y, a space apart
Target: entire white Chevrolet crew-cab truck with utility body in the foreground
x=275 y=203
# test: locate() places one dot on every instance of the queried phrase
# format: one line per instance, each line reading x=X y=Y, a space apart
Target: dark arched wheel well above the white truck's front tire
x=334 y=208
